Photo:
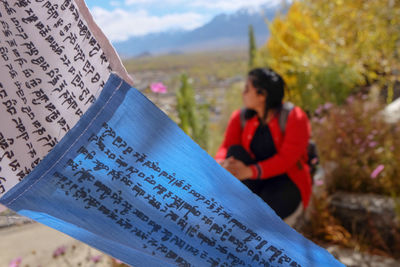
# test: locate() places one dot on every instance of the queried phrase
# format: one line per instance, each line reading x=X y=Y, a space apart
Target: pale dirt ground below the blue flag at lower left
x=35 y=244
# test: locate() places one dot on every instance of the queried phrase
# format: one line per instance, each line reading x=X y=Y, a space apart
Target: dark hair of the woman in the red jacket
x=269 y=82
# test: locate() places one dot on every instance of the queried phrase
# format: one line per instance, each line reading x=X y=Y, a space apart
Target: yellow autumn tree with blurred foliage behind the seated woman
x=326 y=48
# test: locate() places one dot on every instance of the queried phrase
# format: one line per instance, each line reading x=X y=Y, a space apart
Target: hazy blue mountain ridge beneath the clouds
x=222 y=32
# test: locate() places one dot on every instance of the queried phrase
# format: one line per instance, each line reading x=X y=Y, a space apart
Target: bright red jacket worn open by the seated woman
x=291 y=156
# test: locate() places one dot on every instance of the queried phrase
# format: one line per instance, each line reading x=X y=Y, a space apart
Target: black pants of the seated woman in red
x=279 y=192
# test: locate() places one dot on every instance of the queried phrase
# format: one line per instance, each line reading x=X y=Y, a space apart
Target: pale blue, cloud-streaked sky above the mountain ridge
x=121 y=19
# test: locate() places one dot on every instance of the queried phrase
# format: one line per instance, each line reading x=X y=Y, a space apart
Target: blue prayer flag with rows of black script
x=128 y=181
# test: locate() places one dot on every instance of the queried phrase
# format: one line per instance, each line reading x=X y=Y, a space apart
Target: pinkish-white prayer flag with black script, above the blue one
x=54 y=62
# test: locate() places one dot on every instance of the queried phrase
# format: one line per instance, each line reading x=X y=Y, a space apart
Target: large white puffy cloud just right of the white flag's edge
x=120 y=24
